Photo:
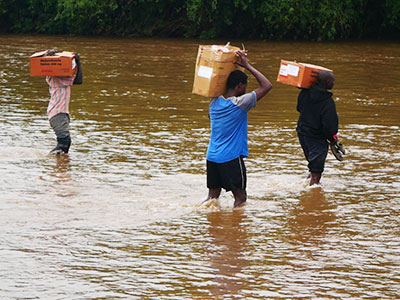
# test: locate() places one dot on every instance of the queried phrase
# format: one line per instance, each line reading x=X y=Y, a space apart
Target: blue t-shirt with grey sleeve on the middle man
x=229 y=127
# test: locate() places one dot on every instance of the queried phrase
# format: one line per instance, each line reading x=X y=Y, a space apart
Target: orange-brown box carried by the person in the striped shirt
x=60 y=64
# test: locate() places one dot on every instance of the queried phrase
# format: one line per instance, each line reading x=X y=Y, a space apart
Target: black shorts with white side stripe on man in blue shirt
x=229 y=175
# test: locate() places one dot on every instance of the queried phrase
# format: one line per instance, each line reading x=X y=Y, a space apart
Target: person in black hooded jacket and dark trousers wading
x=318 y=123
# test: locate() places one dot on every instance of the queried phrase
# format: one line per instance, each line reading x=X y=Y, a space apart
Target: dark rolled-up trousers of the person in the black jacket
x=315 y=151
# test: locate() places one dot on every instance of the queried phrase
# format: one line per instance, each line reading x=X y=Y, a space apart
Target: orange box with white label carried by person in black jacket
x=298 y=74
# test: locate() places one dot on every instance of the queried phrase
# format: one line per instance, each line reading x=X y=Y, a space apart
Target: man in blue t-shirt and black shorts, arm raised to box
x=228 y=141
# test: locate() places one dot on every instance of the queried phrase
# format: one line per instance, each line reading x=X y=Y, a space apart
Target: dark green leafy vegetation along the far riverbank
x=313 y=20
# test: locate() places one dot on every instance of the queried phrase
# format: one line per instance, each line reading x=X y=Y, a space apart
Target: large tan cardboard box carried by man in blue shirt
x=213 y=67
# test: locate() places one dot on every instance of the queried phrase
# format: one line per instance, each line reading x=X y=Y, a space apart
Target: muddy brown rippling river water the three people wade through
x=117 y=217
